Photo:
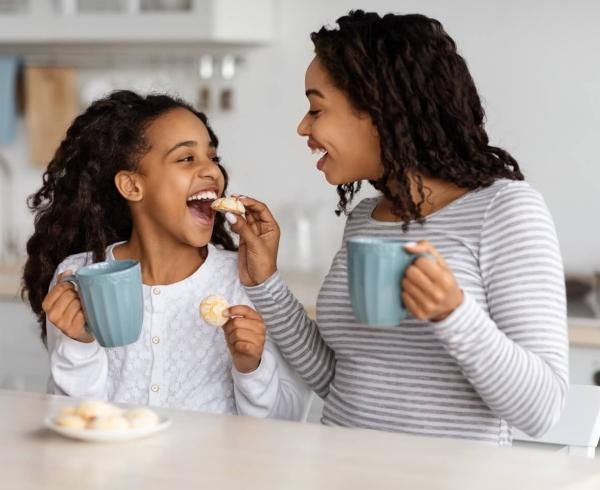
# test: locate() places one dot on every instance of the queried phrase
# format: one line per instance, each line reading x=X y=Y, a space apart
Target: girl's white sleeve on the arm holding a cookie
x=273 y=390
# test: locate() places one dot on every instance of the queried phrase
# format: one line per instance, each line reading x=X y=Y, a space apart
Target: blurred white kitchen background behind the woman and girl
x=534 y=62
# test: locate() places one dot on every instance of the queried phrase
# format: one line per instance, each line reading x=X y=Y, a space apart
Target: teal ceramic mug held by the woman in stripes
x=375 y=270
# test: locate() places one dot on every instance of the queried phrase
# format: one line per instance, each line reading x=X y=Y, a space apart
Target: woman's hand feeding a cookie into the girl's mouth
x=259 y=242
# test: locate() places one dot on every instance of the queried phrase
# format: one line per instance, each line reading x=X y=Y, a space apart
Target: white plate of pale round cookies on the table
x=100 y=421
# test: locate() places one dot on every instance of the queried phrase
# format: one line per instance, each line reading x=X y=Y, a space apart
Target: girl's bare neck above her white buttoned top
x=163 y=261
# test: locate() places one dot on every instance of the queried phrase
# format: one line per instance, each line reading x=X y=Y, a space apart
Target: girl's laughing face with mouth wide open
x=178 y=178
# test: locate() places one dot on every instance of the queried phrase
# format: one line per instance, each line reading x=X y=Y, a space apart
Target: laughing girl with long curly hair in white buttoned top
x=134 y=179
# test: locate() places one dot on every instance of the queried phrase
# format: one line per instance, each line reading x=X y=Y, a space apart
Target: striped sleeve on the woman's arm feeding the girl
x=295 y=333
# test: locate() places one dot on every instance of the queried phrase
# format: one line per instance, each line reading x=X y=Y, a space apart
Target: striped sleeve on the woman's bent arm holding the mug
x=516 y=354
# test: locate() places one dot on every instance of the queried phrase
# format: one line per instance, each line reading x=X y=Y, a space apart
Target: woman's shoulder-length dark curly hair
x=404 y=71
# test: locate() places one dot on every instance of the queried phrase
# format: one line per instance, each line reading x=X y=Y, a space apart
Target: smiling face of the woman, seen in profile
x=346 y=140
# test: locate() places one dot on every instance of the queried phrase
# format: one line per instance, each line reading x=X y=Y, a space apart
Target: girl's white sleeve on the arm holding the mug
x=77 y=369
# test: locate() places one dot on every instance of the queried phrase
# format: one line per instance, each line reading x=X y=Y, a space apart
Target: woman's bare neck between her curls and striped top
x=438 y=194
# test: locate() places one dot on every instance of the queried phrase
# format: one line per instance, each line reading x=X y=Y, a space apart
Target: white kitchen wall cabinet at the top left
x=208 y=21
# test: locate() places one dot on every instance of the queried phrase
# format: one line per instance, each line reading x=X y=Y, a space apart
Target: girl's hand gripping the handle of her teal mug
x=63 y=309
